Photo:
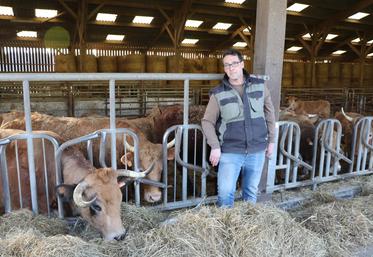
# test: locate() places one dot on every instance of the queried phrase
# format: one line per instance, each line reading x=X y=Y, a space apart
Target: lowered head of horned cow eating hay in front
x=98 y=200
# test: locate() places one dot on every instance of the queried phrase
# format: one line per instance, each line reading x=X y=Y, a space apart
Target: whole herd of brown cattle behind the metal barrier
x=95 y=192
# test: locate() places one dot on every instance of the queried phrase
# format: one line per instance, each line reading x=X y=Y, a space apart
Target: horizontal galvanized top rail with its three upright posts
x=111 y=77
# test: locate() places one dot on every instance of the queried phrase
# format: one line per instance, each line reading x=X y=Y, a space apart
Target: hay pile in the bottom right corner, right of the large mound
x=346 y=224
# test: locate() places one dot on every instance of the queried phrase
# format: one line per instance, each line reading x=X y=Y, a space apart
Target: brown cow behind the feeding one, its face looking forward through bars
x=69 y=128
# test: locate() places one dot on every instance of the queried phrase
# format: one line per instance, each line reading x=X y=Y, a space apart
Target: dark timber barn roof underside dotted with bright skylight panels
x=167 y=30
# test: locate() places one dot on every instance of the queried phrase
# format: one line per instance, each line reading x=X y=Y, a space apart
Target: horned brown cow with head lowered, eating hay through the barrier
x=80 y=178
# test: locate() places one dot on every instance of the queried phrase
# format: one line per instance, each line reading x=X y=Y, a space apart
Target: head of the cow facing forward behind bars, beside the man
x=150 y=154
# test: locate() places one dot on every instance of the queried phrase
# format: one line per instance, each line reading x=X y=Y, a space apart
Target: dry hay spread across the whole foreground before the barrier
x=322 y=227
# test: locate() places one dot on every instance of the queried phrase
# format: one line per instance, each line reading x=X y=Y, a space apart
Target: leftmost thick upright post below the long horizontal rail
x=30 y=146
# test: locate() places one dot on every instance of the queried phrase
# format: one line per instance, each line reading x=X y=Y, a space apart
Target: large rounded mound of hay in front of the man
x=242 y=231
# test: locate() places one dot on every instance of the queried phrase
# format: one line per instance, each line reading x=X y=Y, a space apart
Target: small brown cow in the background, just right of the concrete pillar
x=319 y=107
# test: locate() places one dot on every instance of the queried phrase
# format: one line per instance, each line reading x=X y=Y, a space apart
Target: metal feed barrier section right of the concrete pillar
x=329 y=162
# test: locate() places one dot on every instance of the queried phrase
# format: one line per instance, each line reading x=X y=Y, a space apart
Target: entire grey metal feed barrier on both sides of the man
x=193 y=175
